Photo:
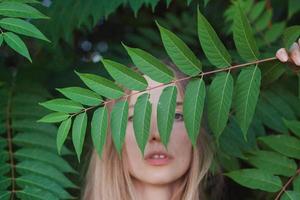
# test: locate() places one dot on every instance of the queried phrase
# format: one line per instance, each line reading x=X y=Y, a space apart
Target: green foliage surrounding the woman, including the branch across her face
x=253 y=108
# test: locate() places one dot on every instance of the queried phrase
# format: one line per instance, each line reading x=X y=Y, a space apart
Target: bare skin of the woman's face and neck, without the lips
x=158 y=182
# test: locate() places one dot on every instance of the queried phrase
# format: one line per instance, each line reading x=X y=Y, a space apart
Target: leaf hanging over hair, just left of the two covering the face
x=119 y=116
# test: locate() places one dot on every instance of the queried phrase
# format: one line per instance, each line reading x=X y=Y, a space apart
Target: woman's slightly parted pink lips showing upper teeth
x=158 y=158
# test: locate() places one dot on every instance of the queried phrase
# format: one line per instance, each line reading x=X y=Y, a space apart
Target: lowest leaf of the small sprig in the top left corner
x=16 y=43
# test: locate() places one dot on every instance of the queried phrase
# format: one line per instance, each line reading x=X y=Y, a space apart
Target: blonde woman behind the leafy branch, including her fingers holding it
x=176 y=174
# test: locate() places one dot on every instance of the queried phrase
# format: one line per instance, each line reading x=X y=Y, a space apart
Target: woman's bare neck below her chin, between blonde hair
x=147 y=191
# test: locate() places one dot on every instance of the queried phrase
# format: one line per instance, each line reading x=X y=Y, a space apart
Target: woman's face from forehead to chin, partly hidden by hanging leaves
x=179 y=147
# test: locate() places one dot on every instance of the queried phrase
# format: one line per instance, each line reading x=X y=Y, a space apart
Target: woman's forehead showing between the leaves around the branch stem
x=154 y=93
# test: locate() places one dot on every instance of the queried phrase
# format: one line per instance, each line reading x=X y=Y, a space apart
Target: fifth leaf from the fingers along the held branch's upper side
x=125 y=76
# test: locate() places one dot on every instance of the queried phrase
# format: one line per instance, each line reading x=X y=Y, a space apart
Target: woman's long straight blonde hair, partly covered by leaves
x=109 y=179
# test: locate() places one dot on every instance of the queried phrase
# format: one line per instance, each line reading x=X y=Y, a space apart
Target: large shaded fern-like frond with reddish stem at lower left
x=30 y=165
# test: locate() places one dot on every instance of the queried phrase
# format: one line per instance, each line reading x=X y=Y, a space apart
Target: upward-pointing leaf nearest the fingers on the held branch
x=243 y=37
